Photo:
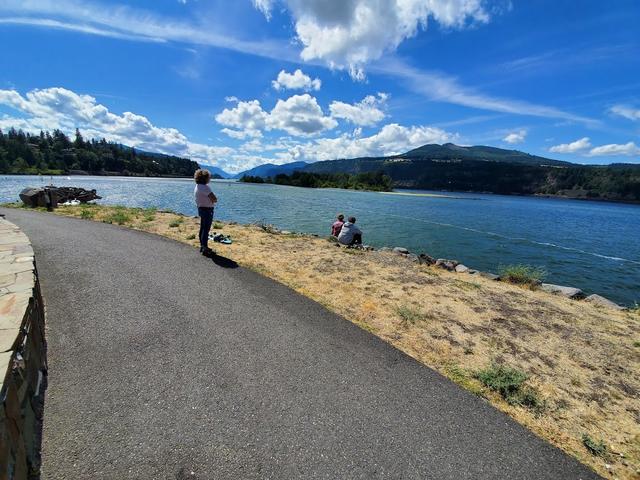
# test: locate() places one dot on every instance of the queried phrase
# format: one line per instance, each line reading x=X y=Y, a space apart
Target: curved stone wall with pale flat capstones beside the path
x=23 y=363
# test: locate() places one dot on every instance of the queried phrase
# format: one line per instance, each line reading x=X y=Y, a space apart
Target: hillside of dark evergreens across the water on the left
x=54 y=153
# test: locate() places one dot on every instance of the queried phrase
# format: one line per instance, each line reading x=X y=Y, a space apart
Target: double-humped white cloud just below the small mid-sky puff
x=298 y=115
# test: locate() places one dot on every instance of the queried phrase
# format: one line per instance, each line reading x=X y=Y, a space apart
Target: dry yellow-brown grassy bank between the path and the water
x=568 y=370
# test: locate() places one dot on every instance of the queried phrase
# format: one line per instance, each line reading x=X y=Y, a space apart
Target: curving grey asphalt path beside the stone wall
x=164 y=363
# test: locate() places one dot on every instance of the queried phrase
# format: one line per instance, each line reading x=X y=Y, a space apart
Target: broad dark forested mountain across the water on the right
x=494 y=170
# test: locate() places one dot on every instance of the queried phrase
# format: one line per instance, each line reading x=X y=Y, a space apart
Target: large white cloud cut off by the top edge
x=350 y=33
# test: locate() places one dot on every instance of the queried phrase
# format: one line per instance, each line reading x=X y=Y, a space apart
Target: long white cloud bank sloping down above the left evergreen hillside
x=49 y=108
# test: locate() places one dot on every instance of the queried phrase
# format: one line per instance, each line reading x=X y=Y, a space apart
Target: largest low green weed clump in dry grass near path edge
x=510 y=383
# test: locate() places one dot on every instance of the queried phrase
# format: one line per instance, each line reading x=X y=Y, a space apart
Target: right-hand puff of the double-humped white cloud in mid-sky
x=300 y=115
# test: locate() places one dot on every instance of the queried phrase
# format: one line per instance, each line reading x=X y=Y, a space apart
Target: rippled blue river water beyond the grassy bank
x=591 y=245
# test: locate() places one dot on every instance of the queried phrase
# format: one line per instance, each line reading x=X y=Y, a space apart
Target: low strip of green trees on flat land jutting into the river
x=374 y=181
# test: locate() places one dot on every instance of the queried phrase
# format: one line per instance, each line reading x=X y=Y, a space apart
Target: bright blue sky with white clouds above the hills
x=240 y=83
